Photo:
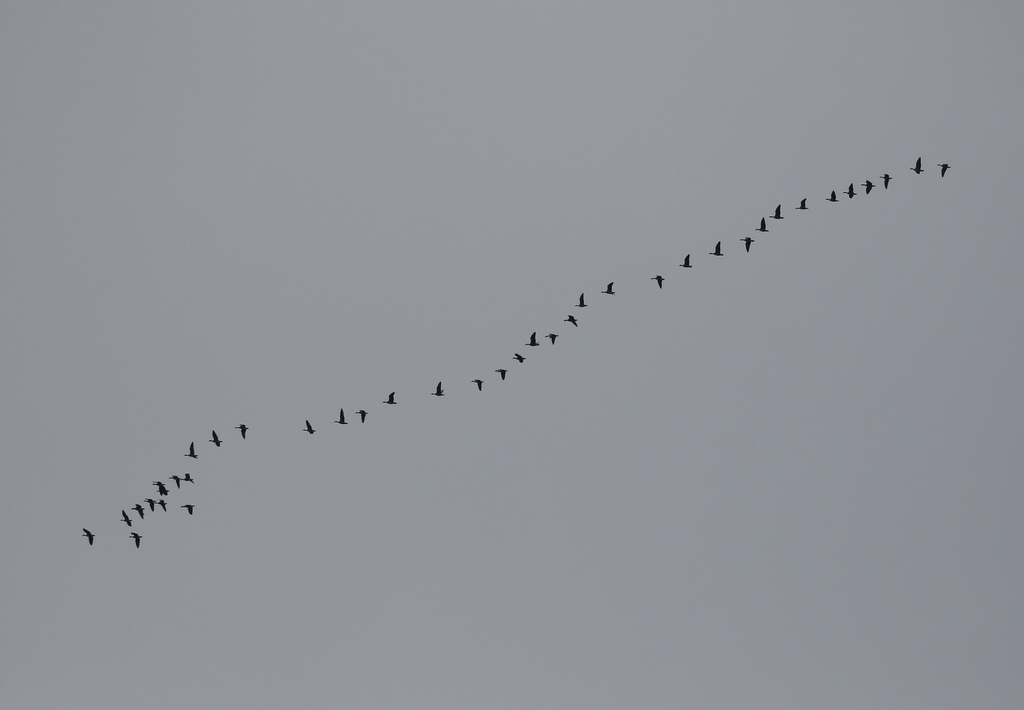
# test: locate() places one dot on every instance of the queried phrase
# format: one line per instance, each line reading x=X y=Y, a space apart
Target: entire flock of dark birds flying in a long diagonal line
x=164 y=492
